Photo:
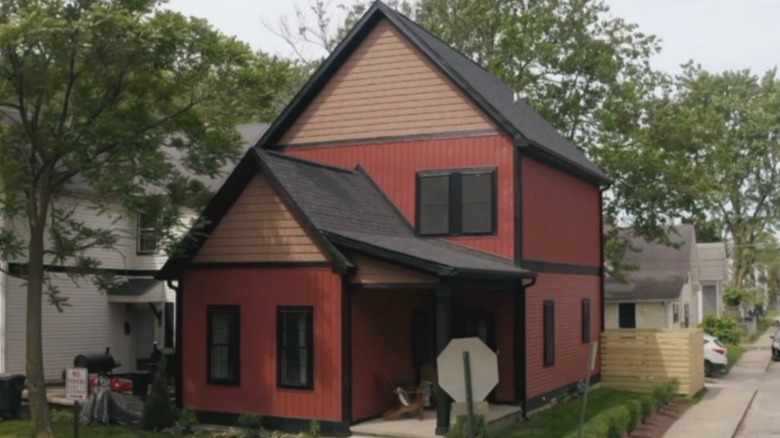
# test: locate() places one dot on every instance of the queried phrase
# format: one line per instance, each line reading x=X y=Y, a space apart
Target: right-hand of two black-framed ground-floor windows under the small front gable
x=295 y=347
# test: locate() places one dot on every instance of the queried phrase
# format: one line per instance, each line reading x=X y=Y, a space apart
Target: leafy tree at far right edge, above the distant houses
x=719 y=137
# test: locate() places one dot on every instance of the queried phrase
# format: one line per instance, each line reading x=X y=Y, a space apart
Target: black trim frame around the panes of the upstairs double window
x=455 y=219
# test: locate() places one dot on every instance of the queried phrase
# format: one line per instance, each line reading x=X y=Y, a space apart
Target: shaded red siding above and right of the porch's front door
x=499 y=305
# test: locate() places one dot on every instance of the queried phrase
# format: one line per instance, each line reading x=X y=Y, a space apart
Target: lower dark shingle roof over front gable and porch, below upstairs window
x=351 y=211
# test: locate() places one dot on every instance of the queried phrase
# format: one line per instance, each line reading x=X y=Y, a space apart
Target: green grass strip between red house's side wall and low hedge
x=564 y=418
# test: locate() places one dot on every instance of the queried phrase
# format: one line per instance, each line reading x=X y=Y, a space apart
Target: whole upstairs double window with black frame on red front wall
x=456 y=202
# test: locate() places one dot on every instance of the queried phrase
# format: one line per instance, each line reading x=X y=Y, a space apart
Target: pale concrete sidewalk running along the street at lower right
x=720 y=412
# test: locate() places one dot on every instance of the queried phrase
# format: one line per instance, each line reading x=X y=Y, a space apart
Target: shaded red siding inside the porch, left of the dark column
x=382 y=346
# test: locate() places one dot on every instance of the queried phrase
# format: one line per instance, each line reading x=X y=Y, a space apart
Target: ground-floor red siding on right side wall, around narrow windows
x=571 y=355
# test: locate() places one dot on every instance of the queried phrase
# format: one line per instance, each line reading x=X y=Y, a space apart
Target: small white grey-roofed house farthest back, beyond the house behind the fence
x=714 y=276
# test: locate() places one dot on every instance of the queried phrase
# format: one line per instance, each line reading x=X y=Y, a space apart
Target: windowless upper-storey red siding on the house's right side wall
x=560 y=216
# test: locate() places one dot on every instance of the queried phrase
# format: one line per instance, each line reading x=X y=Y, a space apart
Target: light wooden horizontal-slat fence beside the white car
x=637 y=359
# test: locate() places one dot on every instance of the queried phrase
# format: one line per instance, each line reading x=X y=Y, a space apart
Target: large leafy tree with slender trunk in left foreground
x=120 y=97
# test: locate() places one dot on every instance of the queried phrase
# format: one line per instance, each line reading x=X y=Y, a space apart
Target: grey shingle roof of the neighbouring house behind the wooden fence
x=660 y=270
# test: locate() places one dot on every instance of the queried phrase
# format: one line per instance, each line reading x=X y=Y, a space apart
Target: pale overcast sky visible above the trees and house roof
x=719 y=34
